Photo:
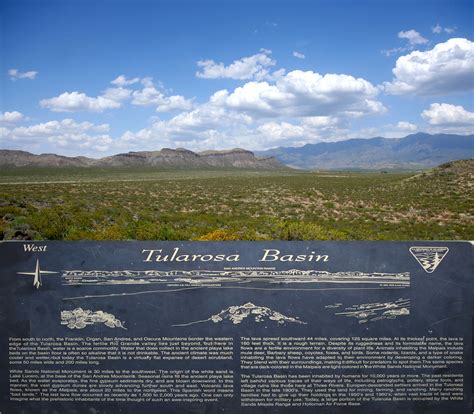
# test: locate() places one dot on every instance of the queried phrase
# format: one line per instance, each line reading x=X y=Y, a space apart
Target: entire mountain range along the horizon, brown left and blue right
x=417 y=151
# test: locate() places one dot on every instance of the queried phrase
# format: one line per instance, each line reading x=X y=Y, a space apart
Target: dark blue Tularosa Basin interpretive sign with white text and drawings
x=148 y=327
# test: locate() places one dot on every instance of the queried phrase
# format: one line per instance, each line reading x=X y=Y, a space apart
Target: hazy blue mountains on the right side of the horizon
x=417 y=151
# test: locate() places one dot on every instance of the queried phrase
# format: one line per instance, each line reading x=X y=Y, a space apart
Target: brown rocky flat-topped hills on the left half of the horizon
x=166 y=158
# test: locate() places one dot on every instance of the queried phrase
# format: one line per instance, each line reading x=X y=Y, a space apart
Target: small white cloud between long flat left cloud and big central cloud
x=149 y=95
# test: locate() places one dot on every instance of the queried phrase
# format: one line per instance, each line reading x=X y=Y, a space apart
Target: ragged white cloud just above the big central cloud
x=251 y=67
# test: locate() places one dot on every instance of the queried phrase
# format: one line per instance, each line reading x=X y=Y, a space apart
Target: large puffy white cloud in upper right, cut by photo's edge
x=447 y=68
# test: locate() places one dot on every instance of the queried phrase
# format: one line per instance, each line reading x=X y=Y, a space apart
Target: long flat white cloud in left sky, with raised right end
x=112 y=98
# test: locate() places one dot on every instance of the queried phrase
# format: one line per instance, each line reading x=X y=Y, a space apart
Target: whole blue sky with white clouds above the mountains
x=98 y=77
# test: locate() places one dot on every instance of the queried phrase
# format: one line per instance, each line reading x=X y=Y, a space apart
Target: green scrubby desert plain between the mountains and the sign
x=97 y=204
